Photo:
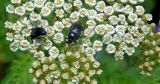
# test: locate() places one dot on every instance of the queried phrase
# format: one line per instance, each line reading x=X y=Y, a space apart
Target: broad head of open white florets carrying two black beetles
x=119 y=27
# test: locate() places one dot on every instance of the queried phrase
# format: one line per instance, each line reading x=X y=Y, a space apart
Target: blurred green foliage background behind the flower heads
x=14 y=66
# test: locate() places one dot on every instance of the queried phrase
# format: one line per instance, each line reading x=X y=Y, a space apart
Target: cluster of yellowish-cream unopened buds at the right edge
x=151 y=53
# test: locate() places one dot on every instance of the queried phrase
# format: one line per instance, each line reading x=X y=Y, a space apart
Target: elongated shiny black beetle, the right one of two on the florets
x=75 y=32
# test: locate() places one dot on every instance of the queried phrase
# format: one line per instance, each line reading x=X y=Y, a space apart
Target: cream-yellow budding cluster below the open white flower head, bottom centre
x=72 y=68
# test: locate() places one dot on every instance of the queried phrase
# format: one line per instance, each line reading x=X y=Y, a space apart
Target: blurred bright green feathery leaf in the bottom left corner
x=18 y=71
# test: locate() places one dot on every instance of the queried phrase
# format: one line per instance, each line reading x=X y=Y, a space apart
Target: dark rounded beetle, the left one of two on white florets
x=37 y=32
